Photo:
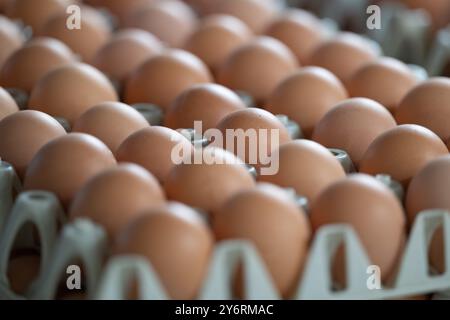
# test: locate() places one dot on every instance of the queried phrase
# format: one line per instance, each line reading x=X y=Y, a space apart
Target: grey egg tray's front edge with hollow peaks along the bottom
x=85 y=241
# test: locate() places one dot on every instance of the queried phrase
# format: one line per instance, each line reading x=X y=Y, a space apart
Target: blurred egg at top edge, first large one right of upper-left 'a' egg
x=172 y=21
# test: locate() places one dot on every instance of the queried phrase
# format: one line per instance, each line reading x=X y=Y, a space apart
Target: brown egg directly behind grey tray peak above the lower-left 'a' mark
x=115 y=196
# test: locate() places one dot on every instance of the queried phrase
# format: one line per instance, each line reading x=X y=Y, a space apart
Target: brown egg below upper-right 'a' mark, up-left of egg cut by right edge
x=385 y=80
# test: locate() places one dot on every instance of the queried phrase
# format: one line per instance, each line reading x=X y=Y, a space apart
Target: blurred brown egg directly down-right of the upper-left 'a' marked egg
x=131 y=45
